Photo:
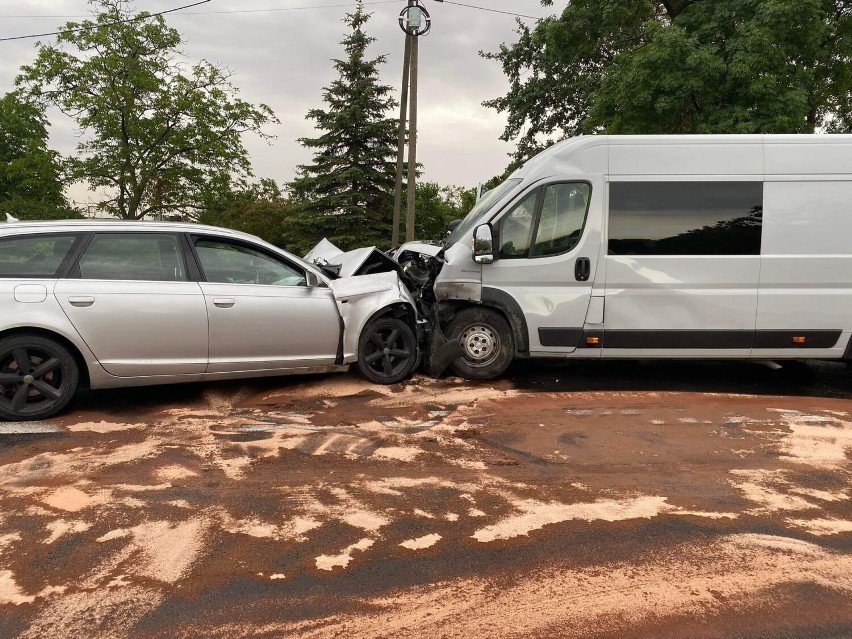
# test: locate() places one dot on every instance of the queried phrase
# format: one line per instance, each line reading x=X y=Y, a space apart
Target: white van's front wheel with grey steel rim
x=486 y=340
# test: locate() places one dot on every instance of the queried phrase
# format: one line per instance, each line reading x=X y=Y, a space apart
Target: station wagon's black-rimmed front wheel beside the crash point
x=387 y=351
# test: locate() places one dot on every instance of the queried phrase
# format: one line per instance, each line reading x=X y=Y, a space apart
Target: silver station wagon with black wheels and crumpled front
x=109 y=304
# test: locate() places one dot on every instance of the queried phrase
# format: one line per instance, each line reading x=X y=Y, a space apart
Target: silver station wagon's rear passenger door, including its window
x=131 y=301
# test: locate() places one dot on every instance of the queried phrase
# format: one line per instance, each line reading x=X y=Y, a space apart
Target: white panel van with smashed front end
x=715 y=246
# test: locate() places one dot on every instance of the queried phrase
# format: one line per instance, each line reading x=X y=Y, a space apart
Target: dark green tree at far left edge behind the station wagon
x=30 y=173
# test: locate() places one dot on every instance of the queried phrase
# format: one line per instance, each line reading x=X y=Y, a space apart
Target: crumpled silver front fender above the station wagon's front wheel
x=361 y=298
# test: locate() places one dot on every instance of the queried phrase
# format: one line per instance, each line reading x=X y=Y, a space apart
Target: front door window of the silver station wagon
x=234 y=263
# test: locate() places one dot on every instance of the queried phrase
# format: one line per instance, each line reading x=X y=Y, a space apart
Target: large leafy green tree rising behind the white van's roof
x=679 y=66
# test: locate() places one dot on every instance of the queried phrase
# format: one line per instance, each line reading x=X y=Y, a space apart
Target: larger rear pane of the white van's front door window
x=562 y=217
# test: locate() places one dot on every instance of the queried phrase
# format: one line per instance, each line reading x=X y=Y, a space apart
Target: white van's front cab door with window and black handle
x=547 y=251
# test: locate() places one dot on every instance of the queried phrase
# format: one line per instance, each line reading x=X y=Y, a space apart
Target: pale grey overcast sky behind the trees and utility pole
x=283 y=58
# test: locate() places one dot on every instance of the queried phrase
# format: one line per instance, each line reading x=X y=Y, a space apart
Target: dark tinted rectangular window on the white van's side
x=685 y=218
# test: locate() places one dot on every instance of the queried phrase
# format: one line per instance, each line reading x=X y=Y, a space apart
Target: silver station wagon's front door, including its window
x=262 y=314
